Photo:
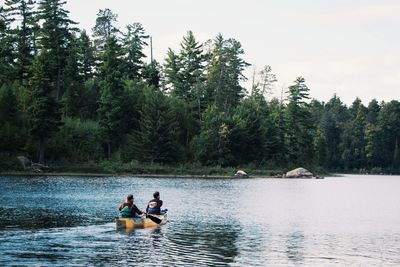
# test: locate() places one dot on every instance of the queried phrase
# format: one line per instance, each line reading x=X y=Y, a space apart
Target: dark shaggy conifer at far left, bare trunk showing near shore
x=44 y=110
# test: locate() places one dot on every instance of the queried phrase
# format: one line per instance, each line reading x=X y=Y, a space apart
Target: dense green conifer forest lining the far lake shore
x=66 y=96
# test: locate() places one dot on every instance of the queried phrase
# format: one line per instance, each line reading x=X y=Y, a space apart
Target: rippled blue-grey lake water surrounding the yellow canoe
x=338 y=221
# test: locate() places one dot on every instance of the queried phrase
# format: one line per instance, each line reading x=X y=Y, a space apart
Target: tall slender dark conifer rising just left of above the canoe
x=111 y=92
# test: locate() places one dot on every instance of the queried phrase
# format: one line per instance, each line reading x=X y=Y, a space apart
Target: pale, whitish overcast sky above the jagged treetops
x=346 y=47
